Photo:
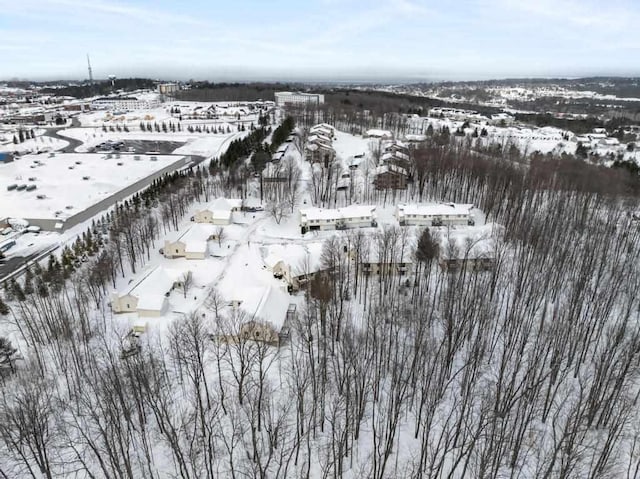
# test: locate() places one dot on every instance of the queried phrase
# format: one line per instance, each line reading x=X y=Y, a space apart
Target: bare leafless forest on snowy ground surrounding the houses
x=530 y=369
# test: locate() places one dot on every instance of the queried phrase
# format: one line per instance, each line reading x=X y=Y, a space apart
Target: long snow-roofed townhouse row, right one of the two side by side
x=440 y=214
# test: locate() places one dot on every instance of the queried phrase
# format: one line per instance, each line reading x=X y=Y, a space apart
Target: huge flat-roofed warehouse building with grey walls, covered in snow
x=59 y=191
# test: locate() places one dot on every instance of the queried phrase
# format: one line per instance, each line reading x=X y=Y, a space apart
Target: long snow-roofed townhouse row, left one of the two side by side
x=354 y=216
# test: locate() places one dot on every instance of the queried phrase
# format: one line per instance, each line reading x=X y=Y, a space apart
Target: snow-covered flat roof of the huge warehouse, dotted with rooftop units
x=61 y=180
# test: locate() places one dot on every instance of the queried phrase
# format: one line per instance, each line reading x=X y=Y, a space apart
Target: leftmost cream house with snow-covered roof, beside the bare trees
x=149 y=297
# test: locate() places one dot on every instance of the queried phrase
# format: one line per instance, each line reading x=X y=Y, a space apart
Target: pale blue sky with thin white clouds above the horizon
x=319 y=39
